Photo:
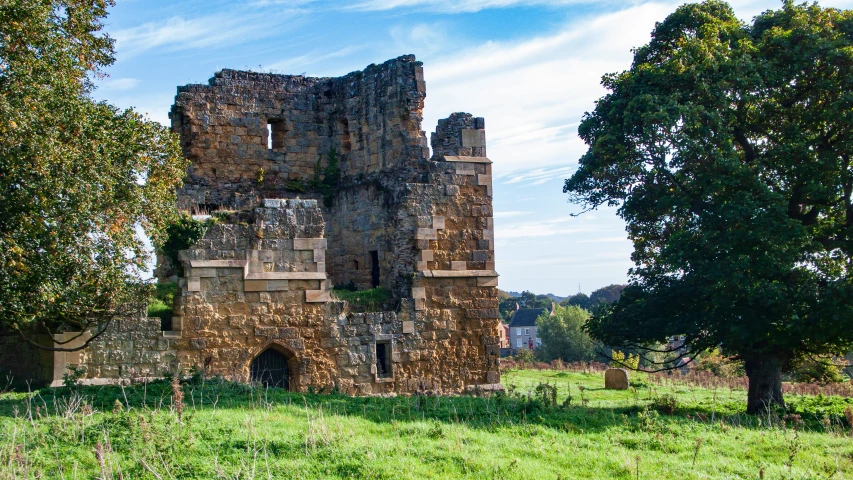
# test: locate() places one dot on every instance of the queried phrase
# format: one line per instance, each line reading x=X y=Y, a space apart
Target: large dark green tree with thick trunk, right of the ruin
x=727 y=149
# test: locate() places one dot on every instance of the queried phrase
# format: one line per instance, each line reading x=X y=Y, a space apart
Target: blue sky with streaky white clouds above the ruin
x=531 y=68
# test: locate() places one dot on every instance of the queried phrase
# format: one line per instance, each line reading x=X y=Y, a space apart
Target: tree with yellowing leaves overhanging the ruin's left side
x=77 y=177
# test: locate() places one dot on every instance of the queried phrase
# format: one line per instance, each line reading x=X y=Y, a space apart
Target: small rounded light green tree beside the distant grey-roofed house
x=563 y=336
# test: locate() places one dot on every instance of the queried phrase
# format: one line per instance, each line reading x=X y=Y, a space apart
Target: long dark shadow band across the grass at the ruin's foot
x=493 y=412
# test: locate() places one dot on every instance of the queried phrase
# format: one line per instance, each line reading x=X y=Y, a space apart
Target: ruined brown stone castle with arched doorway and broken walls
x=319 y=183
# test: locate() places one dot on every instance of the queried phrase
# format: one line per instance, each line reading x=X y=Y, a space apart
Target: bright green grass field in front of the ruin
x=228 y=430
